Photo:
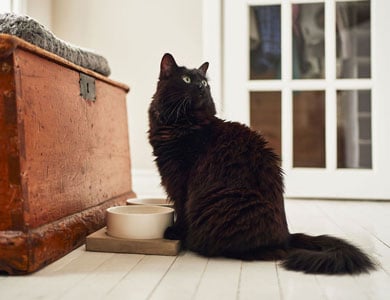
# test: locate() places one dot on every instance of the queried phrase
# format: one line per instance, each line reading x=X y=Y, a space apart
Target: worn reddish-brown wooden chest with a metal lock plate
x=64 y=154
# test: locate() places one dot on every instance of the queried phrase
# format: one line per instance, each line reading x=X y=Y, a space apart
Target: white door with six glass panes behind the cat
x=310 y=76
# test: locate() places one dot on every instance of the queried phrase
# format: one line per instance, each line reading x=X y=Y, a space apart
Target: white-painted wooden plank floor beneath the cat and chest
x=88 y=275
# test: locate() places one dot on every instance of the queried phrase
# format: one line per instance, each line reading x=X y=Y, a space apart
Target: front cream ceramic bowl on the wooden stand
x=138 y=221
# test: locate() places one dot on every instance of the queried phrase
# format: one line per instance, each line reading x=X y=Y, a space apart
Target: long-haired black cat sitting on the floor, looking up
x=226 y=184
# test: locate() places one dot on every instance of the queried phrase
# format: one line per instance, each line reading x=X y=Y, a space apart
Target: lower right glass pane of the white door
x=354 y=129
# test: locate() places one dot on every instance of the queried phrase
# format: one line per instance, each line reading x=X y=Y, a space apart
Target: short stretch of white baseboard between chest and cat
x=146 y=183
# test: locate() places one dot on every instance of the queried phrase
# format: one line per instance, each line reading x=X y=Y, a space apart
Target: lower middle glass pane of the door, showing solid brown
x=309 y=129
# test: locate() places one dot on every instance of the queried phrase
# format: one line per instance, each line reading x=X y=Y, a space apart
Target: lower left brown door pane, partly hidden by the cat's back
x=265 y=117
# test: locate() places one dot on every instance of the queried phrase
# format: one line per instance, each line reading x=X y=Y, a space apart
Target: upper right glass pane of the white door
x=353 y=39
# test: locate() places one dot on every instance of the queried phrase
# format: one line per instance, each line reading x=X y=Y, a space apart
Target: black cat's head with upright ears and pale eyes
x=183 y=95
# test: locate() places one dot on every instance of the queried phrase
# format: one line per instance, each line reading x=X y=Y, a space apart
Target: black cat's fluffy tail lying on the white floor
x=325 y=255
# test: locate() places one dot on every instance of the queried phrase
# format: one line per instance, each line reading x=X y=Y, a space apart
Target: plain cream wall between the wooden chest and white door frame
x=133 y=35
